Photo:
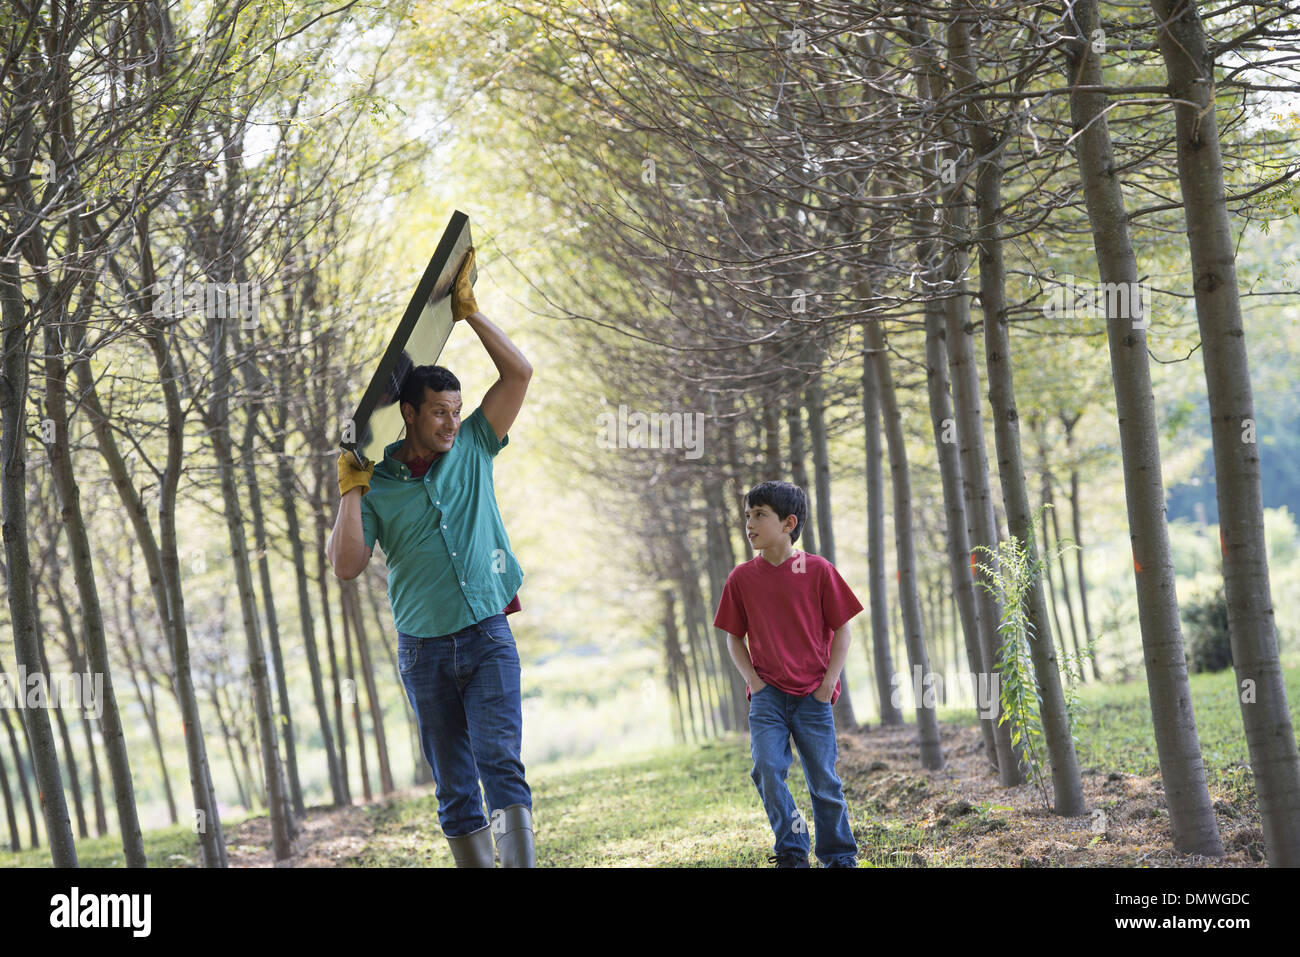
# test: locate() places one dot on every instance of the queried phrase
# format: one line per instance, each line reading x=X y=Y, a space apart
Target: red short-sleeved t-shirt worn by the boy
x=790 y=613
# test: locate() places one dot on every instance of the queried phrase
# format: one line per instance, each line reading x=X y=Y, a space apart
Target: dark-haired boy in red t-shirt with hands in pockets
x=796 y=610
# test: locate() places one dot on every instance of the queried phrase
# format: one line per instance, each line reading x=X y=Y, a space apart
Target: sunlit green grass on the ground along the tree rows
x=696 y=806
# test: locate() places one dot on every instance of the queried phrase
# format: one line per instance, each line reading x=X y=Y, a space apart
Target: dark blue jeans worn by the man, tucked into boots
x=465 y=690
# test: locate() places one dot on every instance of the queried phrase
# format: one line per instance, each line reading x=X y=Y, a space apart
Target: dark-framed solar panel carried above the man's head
x=418 y=341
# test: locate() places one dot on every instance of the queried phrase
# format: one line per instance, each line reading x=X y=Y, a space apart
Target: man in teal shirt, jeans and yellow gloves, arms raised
x=453 y=578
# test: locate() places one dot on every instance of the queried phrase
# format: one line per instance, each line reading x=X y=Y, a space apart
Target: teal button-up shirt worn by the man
x=449 y=558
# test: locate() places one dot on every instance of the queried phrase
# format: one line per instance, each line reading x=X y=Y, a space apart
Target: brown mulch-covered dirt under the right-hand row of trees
x=967 y=817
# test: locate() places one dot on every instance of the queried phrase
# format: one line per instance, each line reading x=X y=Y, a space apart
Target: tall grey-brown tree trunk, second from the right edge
x=1182 y=772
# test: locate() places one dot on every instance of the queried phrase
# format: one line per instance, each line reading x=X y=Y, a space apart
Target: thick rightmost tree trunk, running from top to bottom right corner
x=1266 y=714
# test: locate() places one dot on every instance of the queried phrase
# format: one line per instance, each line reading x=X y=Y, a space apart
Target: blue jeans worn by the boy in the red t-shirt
x=774 y=717
